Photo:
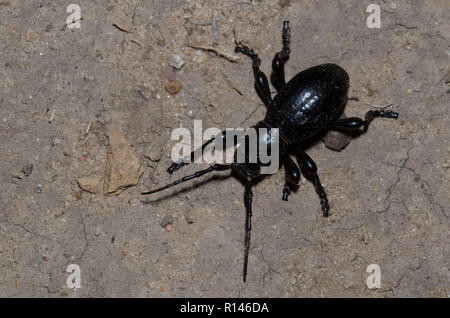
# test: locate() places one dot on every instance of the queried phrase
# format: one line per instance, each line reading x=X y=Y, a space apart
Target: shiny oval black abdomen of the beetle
x=308 y=102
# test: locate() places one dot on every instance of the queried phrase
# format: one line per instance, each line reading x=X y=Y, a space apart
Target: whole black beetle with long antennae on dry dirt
x=309 y=103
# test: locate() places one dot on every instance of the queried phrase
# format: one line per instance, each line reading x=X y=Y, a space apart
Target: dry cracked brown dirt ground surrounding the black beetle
x=388 y=190
